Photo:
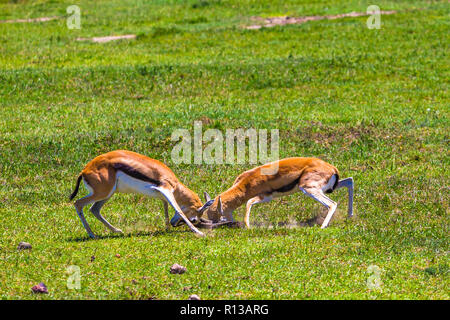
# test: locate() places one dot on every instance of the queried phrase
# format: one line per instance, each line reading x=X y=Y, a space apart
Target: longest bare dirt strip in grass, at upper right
x=280 y=21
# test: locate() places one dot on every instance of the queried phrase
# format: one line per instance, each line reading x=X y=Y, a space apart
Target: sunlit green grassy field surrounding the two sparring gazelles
x=374 y=103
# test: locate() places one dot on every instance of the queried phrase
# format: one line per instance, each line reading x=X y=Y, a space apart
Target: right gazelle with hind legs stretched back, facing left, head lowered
x=312 y=176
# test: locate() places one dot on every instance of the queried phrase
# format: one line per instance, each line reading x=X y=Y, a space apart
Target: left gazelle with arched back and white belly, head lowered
x=129 y=172
